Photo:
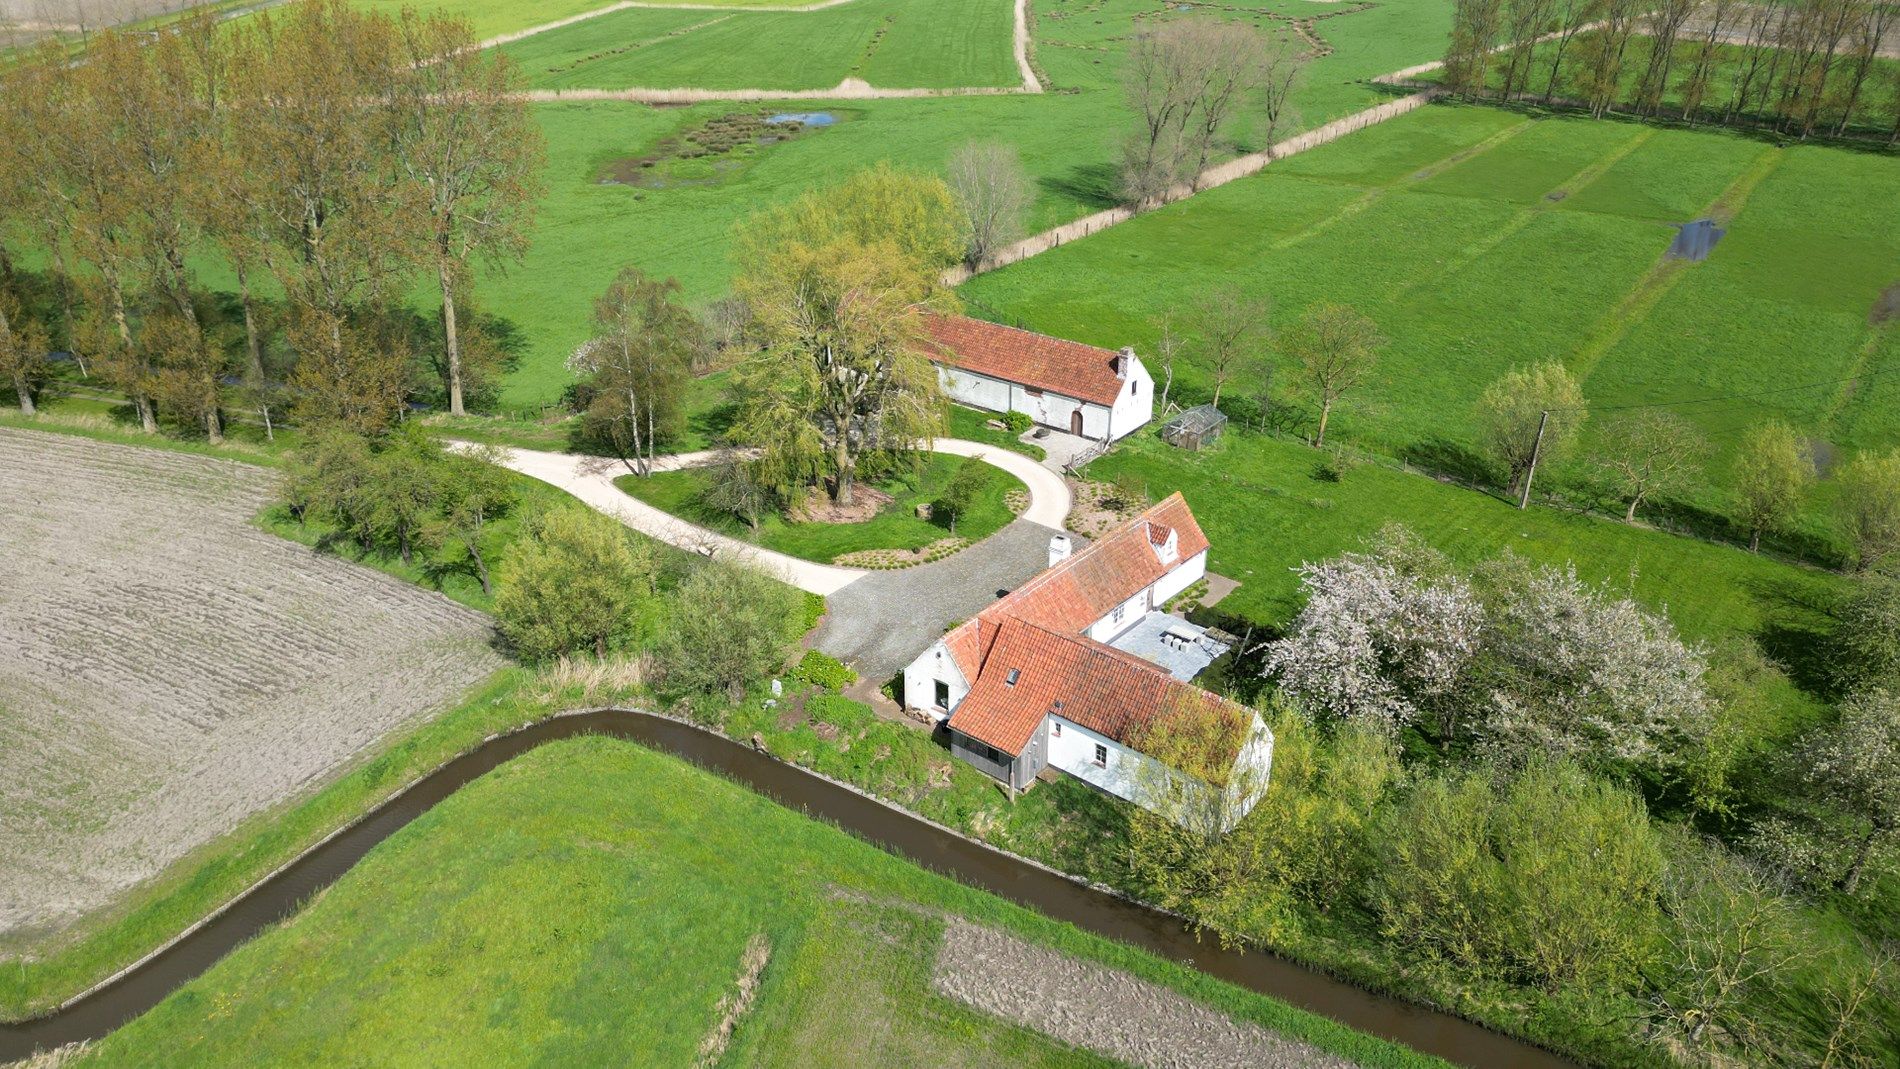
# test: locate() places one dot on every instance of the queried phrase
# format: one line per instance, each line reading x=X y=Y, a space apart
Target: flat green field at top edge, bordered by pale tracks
x=928 y=45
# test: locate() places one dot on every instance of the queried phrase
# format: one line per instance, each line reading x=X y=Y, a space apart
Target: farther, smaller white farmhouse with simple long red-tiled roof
x=1090 y=392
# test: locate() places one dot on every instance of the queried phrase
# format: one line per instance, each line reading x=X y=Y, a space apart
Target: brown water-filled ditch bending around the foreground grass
x=284 y=893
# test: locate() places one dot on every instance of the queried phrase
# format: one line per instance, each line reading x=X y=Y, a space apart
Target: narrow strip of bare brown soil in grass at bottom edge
x=1103 y=1009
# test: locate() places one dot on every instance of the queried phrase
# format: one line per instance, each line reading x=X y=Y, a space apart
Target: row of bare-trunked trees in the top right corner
x=1800 y=67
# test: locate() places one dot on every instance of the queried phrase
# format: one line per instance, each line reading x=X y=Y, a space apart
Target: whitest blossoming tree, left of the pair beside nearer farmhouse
x=1377 y=643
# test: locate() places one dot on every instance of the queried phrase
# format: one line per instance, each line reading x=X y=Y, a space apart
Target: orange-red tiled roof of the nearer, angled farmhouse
x=1038 y=629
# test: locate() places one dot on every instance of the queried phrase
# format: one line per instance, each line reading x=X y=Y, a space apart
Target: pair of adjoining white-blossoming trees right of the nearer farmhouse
x=1532 y=658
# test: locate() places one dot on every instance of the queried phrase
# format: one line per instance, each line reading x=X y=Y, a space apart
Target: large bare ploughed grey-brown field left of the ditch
x=168 y=669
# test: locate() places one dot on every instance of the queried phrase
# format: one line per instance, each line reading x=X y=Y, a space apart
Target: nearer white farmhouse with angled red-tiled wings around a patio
x=1073 y=667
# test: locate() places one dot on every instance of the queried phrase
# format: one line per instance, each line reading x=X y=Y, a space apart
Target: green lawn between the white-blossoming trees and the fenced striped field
x=1268 y=510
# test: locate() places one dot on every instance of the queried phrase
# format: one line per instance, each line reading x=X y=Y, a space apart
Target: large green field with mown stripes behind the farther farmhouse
x=1487 y=238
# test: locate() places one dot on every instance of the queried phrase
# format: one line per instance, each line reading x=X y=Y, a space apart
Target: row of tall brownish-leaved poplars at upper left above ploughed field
x=339 y=157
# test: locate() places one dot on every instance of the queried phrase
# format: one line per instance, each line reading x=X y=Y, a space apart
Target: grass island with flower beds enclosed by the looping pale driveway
x=896 y=527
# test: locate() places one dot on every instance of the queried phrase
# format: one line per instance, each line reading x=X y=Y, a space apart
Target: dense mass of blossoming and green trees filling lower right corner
x=1460 y=772
